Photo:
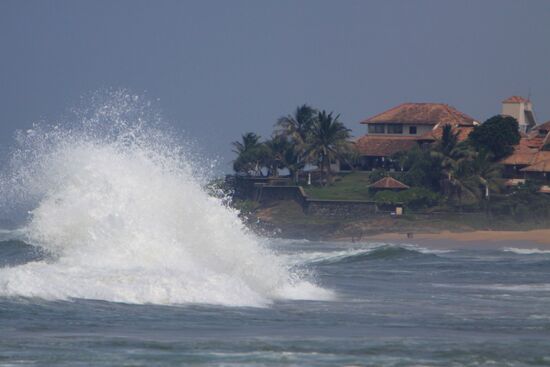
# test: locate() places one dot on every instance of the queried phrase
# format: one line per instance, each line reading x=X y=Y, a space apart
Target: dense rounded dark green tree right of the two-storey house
x=498 y=134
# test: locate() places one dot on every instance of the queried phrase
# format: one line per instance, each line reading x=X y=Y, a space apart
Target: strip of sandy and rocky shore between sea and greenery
x=472 y=230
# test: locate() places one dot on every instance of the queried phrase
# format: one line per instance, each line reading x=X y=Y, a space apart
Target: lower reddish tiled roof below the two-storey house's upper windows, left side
x=384 y=146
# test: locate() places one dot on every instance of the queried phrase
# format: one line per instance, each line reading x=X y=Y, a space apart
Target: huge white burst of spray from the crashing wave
x=120 y=209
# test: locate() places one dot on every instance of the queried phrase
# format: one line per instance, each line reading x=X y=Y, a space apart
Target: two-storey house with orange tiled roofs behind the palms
x=405 y=126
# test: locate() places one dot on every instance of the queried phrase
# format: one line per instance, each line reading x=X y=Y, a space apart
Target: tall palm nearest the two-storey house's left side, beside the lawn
x=327 y=141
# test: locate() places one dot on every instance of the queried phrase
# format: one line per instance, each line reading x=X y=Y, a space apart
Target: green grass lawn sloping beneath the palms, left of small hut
x=350 y=186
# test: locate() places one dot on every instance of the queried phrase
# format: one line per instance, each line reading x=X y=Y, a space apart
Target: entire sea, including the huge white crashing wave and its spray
x=120 y=257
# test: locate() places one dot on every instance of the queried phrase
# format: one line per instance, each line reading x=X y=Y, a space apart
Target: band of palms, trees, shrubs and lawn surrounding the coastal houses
x=447 y=176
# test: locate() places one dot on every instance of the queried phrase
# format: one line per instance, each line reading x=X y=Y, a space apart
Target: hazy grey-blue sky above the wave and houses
x=221 y=68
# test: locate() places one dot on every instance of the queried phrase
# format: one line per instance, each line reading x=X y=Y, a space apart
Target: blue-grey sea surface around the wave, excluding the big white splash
x=396 y=305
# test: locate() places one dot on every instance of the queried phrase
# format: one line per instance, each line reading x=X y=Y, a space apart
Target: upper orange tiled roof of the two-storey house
x=421 y=114
